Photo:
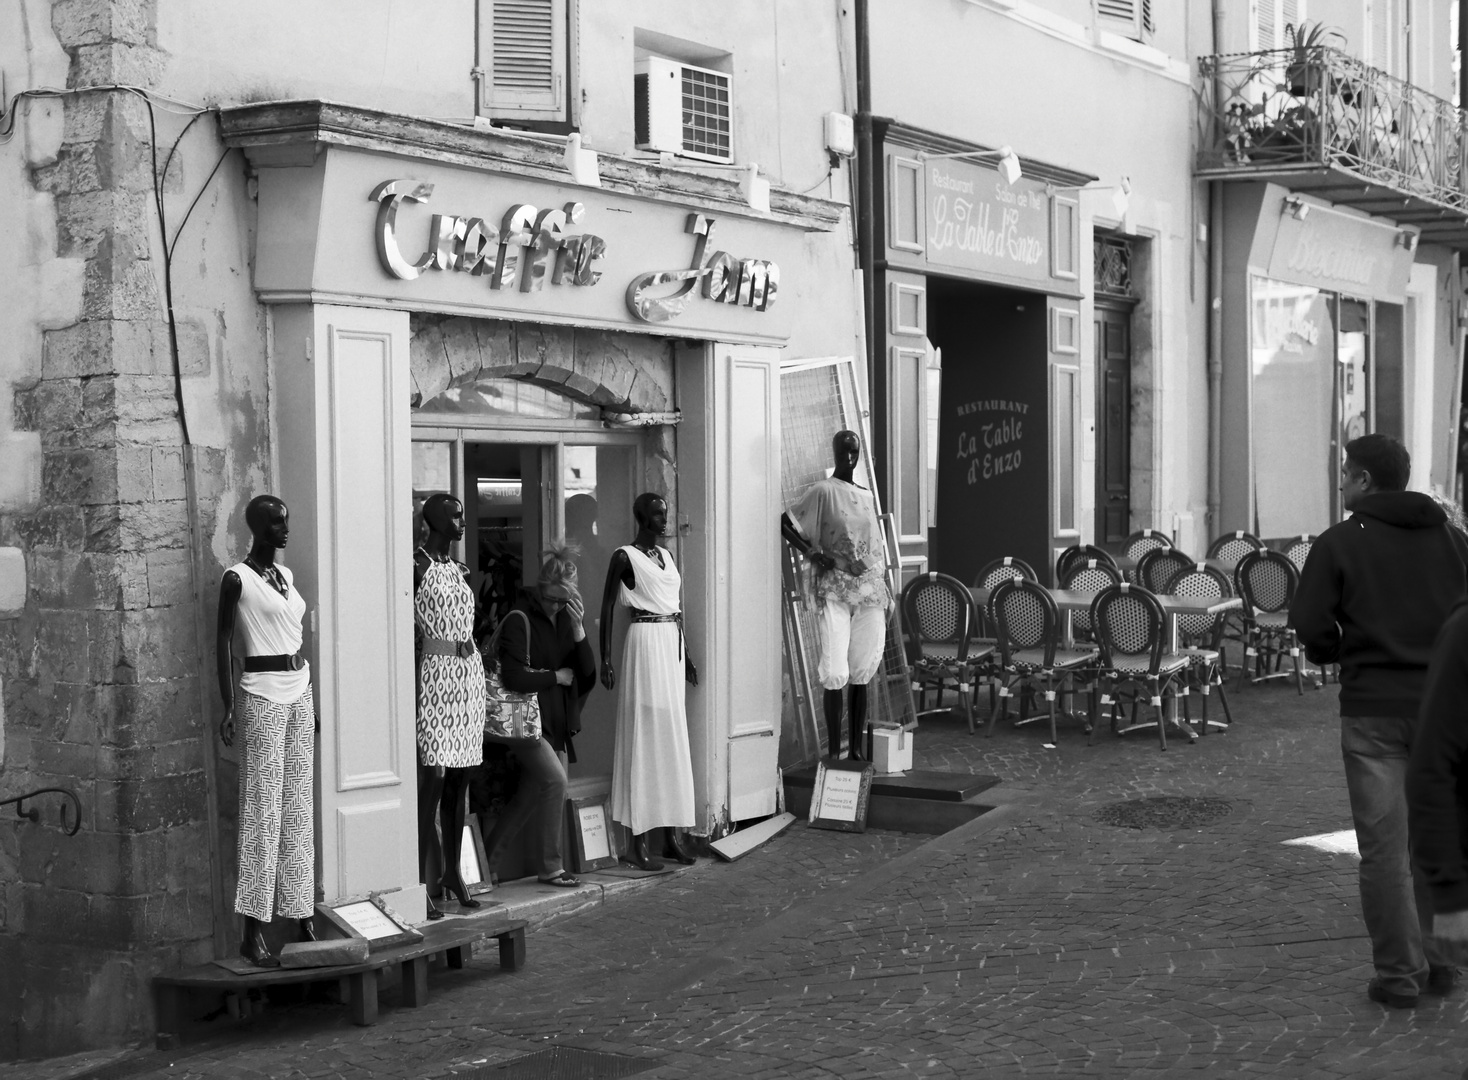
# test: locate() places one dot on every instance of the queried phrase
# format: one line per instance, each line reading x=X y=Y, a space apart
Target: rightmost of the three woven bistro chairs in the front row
x=1131 y=630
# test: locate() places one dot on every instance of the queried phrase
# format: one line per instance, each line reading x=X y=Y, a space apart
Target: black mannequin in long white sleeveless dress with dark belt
x=653 y=771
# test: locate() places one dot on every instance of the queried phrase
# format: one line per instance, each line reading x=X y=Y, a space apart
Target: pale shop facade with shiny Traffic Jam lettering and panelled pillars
x=545 y=353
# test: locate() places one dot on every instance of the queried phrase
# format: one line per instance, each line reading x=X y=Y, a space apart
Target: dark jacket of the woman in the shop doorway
x=551 y=648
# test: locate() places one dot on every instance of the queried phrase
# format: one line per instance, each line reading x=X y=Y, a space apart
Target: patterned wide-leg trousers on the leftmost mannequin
x=277 y=820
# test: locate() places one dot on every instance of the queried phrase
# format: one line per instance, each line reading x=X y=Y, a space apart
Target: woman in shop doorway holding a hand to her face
x=556 y=663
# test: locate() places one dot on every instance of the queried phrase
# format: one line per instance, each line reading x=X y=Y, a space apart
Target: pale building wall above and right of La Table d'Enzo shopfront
x=1049 y=81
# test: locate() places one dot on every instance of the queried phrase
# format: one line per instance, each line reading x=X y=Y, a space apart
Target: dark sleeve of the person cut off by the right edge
x=1438 y=776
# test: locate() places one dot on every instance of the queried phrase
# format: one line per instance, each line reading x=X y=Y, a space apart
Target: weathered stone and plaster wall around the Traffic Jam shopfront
x=108 y=602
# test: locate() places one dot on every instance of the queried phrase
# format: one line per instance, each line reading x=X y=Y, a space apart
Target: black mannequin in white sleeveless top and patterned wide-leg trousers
x=278 y=724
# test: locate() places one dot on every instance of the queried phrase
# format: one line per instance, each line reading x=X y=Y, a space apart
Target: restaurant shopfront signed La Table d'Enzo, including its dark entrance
x=980 y=381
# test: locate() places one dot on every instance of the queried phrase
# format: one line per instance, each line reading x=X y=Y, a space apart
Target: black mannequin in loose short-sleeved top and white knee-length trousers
x=835 y=526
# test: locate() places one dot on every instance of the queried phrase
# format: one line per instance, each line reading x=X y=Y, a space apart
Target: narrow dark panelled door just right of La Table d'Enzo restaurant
x=1113 y=350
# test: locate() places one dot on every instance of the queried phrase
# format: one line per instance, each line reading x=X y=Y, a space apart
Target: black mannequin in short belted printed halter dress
x=451 y=698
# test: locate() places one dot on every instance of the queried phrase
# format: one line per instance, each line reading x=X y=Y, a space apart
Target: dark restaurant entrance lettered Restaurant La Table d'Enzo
x=995 y=431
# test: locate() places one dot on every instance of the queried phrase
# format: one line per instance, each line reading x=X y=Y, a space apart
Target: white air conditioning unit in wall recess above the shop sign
x=686 y=111
